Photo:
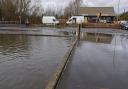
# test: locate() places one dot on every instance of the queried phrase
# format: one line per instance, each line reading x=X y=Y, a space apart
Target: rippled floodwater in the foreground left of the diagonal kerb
x=28 y=62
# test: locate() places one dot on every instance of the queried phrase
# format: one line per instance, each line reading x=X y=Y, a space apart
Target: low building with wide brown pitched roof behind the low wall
x=98 y=14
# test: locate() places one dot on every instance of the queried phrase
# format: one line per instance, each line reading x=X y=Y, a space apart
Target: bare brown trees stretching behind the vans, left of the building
x=20 y=10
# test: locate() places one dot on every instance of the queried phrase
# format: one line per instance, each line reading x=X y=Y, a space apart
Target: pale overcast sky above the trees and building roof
x=63 y=3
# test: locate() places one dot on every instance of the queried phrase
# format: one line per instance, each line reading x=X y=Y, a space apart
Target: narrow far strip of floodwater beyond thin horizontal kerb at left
x=37 y=31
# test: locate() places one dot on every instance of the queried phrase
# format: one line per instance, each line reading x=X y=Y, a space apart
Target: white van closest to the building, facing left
x=76 y=20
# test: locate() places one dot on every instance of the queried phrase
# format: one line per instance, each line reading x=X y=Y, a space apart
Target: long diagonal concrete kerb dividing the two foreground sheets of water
x=56 y=76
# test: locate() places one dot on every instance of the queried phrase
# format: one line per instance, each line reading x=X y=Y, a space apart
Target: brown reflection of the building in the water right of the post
x=96 y=37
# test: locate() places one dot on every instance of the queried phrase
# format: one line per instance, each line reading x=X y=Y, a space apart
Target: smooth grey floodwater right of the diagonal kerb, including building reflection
x=100 y=61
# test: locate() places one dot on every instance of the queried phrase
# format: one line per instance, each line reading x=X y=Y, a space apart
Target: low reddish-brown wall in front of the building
x=101 y=25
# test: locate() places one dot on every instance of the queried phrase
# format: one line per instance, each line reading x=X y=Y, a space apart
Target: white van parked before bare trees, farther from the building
x=50 y=20
